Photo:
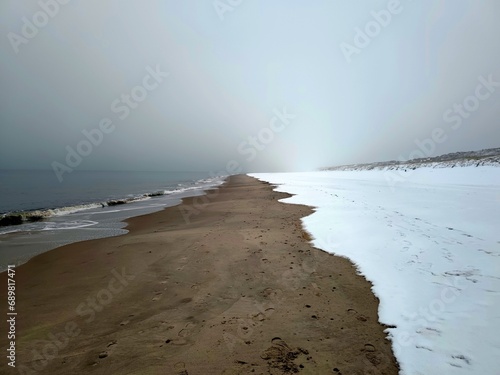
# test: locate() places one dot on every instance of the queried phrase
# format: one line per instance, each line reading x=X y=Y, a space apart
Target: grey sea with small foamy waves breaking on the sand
x=86 y=205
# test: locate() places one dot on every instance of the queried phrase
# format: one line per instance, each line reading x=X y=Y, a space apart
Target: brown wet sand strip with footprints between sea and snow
x=222 y=284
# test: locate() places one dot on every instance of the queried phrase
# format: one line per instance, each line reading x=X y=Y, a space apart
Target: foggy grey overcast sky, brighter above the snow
x=351 y=81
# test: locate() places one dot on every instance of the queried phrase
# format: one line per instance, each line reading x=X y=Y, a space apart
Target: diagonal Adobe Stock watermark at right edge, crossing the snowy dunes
x=455 y=115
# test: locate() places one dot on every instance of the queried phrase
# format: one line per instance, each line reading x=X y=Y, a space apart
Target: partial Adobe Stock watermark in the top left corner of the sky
x=31 y=27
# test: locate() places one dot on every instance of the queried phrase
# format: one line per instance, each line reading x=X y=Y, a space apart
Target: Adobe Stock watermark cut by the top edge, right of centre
x=364 y=36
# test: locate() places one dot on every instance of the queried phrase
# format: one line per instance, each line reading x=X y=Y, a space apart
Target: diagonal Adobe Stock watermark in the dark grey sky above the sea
x=122 y=107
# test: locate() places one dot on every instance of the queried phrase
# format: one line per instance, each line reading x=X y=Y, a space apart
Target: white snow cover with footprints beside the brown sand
x=430 y=244
